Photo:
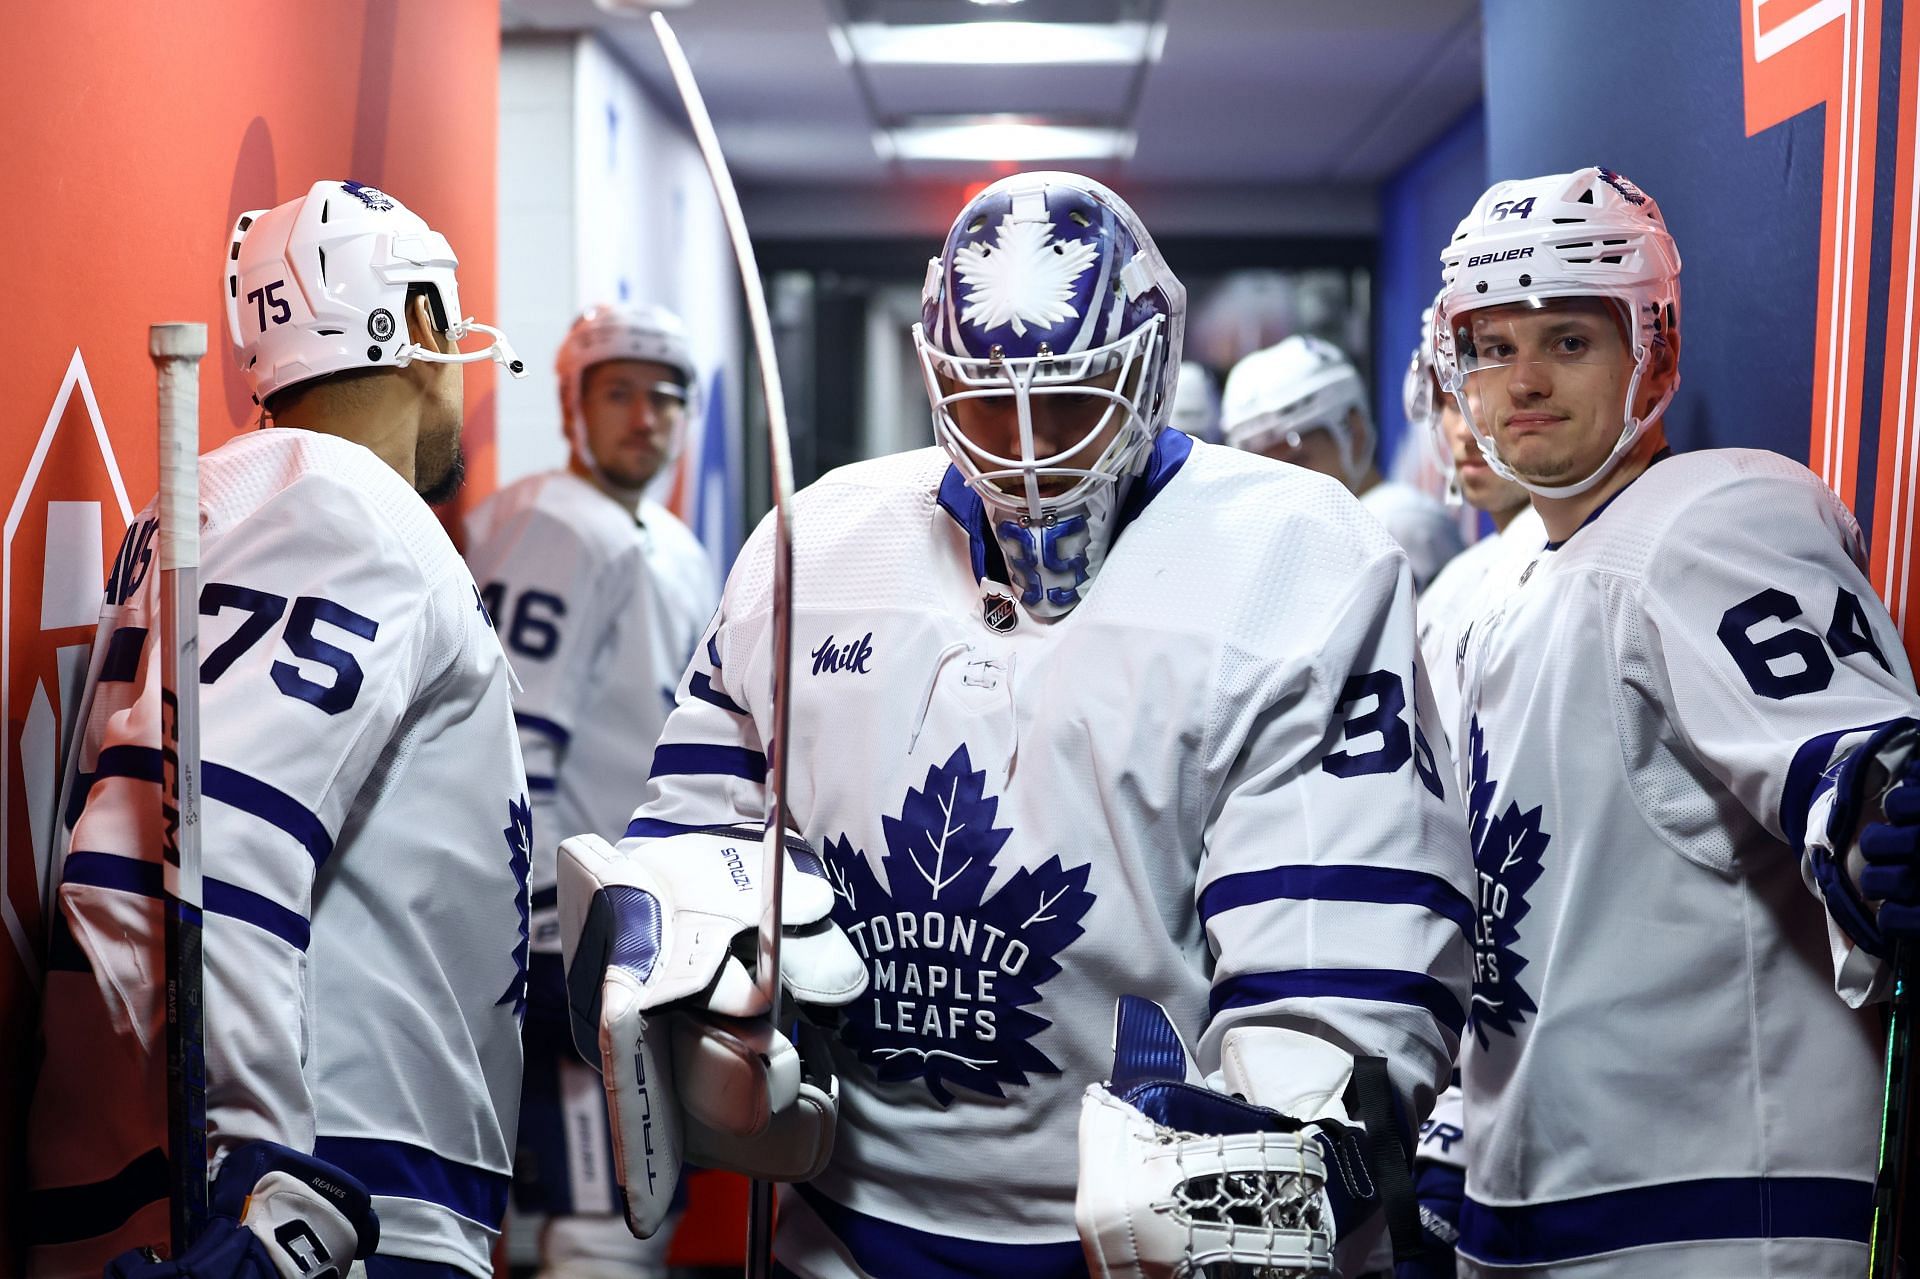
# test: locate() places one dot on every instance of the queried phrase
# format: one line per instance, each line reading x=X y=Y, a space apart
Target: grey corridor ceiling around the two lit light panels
x=1314 y=99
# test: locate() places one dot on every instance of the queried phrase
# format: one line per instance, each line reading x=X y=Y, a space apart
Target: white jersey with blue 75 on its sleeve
x=366 y=846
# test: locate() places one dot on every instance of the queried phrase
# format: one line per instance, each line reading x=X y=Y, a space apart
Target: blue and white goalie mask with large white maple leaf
x=1051 y=339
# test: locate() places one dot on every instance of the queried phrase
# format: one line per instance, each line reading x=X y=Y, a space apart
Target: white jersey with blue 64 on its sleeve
x=1660 y=1074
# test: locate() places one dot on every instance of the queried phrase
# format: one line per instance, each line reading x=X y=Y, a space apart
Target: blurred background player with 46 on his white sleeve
x=600 y=596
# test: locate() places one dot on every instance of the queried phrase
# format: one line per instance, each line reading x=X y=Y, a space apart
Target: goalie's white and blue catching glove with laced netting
x=1180 y=1178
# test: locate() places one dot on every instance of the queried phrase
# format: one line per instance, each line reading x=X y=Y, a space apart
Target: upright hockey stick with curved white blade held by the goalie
x=773 y=857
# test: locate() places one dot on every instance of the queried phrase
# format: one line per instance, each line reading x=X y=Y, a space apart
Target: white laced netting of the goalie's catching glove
x=1251 y=1195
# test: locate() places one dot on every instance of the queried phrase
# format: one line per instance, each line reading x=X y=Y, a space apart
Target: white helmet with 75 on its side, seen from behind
x=320 y=285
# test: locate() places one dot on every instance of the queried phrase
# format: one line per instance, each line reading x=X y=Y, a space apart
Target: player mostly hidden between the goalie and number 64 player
x=1491 y=566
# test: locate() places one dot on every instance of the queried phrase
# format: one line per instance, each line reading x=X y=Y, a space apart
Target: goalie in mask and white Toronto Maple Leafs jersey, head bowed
x=1084 y=710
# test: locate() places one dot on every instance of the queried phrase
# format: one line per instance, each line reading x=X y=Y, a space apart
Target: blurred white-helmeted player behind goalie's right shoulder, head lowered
x=1303 y=402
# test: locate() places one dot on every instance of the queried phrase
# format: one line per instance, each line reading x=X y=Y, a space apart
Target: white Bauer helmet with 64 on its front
x=1566 y=235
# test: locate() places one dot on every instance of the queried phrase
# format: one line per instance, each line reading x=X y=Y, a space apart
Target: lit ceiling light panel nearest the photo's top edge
x=996 y=43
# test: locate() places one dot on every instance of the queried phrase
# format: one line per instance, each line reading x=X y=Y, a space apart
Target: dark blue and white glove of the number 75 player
x=274 y=1215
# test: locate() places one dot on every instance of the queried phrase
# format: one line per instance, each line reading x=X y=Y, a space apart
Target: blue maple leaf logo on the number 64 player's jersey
x=1506 y=857
